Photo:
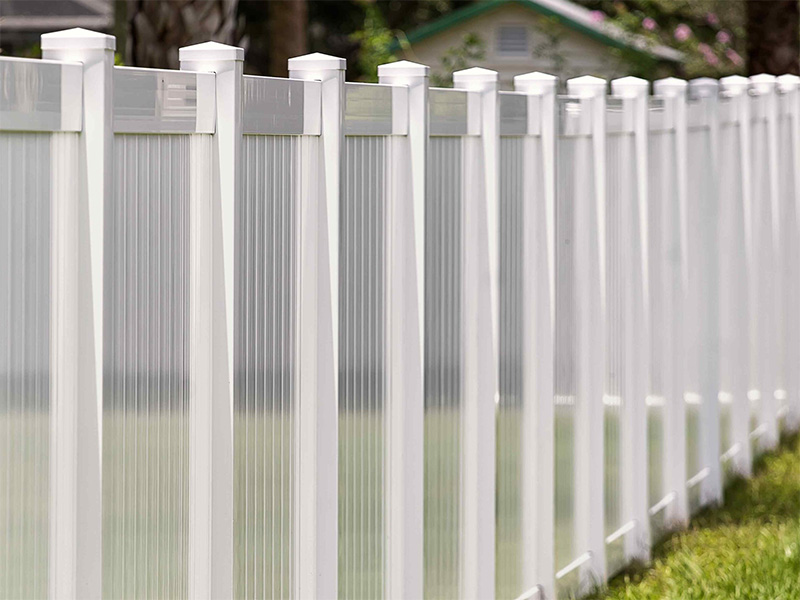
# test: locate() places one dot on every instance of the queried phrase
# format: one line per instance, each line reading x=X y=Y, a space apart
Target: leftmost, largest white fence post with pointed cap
x=76 y=501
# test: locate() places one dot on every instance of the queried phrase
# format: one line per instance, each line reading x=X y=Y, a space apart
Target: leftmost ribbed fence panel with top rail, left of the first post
x=40 y=115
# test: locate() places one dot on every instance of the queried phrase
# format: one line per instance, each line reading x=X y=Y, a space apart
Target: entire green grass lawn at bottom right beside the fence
x=747 y=549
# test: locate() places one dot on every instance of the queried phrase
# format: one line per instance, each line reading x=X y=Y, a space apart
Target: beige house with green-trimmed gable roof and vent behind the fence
x=553 y=36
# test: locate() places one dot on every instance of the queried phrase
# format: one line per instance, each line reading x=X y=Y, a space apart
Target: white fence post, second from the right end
x=768 y=357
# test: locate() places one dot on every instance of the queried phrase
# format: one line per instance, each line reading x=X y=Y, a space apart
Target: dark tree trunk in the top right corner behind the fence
x=773 y=36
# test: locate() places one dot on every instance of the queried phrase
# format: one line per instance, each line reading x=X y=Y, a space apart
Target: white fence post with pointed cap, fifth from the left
x=480 y=351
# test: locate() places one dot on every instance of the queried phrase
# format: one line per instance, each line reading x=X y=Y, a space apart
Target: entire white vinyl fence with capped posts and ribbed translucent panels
x=302 y=338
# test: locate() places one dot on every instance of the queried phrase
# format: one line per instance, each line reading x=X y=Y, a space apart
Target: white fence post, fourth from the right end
x=706 y=229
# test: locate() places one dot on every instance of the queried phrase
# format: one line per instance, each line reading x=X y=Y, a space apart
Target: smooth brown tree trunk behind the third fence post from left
x=288 y=34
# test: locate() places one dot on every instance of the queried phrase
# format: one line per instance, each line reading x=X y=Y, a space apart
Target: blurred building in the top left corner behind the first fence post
x=22 y=22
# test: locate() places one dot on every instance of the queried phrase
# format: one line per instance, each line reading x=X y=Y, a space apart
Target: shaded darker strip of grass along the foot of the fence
x=769 y=500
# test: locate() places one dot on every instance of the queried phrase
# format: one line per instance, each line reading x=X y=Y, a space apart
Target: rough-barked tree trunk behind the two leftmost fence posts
x=156 y=30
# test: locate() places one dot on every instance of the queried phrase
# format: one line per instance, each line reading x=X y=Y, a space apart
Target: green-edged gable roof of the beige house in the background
x=567 y=13
